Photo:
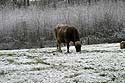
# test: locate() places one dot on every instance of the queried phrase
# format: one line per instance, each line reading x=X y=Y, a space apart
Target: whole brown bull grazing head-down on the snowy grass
x=66 y=34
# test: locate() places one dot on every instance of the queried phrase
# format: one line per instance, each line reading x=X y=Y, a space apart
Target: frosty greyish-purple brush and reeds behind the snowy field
x=29 y=24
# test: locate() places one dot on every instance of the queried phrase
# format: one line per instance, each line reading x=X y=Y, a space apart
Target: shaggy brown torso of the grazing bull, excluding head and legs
x=66 y=34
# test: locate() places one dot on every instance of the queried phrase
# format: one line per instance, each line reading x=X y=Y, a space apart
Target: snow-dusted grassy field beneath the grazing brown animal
x=101 y=63
